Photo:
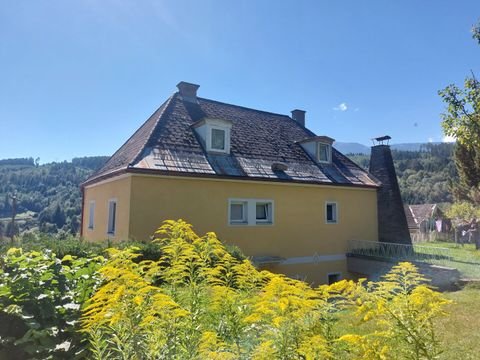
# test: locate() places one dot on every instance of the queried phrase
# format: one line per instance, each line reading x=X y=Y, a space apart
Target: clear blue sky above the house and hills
x=78 y=78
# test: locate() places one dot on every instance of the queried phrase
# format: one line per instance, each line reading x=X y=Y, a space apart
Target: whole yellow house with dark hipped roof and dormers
x=261 y=181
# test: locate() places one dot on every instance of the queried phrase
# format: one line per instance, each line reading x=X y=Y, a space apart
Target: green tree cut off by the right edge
x=462 y=121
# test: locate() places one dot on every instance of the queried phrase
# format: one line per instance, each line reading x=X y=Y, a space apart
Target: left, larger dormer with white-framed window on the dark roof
x=214 y=134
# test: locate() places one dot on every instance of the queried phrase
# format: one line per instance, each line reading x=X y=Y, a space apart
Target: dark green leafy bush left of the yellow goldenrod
x=40 y=302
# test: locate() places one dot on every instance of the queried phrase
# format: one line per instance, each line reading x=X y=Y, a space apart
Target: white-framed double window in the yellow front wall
x=250 y=212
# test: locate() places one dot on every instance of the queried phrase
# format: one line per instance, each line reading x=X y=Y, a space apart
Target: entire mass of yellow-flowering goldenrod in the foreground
x=199 y=302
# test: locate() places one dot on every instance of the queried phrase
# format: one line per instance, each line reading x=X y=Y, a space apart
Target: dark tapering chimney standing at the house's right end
x=392 y=222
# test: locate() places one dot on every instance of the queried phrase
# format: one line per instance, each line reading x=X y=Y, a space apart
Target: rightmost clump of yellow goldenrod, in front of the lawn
x=402 y=309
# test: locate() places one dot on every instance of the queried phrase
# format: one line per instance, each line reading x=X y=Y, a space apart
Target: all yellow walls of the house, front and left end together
x=298 y=233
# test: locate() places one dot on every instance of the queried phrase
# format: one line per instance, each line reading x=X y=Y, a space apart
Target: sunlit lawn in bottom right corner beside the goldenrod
x=459 y=332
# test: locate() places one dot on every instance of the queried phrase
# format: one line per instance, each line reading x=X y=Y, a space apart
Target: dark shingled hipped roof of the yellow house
x=167 y=144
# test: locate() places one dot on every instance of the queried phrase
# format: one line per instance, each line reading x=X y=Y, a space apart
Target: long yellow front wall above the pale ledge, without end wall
x=299 y=213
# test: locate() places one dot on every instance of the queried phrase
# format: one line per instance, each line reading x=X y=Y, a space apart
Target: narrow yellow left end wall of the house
x=102 y=193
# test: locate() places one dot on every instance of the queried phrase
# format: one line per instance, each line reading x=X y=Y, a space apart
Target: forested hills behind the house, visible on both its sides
x=49 y=198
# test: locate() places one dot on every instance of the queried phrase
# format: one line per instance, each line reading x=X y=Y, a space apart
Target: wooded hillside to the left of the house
x=49 y=195
